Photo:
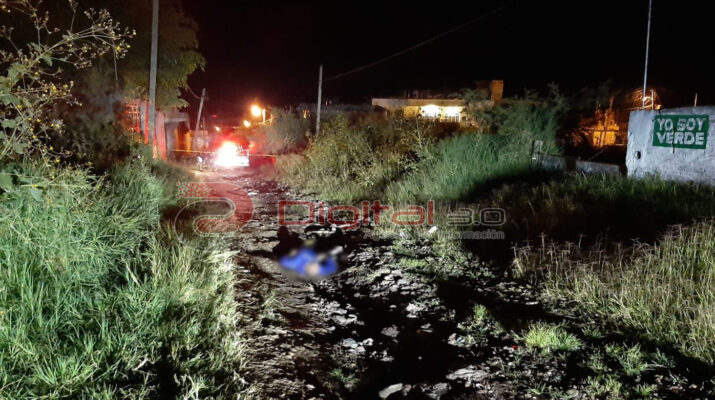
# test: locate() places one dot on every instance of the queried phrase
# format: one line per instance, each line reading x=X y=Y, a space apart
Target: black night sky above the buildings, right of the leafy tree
x=271 y=50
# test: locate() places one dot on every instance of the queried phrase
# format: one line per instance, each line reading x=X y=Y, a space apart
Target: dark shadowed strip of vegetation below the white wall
x=568 y=207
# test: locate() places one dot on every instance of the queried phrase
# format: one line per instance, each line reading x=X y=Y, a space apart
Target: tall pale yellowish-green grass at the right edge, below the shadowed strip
x=666 y=291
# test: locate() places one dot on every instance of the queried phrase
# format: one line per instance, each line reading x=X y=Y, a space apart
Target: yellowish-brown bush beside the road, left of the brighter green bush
x=355 y=161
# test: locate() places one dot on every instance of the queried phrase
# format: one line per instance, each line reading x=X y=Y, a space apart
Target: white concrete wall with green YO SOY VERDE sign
x=672 y=162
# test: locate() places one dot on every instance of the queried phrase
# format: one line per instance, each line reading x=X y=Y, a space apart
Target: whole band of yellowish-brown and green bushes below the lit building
x=402 y=161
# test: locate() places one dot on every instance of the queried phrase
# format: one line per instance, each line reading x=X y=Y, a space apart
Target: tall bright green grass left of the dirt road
x=95 y=304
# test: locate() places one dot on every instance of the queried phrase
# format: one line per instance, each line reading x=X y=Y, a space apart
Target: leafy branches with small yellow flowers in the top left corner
x=34 y=83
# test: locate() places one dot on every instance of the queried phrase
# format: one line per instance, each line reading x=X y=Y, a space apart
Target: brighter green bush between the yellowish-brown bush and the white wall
x=458 y=168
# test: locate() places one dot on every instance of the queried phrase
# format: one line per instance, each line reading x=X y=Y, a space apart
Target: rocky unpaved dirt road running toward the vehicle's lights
x=380 y=330
